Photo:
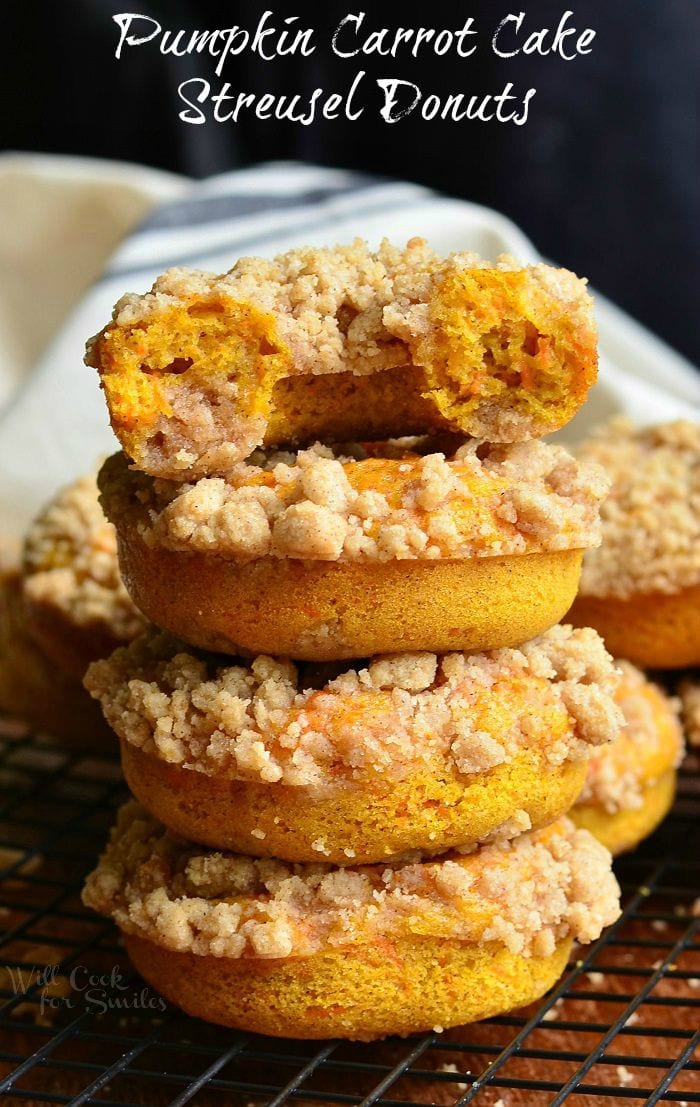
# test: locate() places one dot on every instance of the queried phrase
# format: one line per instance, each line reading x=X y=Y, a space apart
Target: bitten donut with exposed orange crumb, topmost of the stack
x=342 y=344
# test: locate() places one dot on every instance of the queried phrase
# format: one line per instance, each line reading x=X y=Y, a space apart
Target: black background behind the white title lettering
x=604 y=177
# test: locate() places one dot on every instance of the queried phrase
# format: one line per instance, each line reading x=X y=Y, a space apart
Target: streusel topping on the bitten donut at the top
x=311 y=289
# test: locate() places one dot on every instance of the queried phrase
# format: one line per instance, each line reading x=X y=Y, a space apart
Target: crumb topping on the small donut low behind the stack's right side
x=650 y=744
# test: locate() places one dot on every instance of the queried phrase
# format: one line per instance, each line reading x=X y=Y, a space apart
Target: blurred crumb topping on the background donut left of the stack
x=70 y=564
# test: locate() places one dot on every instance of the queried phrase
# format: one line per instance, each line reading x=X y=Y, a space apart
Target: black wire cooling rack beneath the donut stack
x=77 y=1027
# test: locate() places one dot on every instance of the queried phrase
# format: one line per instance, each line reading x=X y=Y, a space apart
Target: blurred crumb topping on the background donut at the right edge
x=652 y=519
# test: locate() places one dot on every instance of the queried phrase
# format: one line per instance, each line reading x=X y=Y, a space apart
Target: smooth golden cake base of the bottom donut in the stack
x=363 y=994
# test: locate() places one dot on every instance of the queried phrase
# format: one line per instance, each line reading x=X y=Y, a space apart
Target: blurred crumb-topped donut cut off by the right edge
x=641 y=589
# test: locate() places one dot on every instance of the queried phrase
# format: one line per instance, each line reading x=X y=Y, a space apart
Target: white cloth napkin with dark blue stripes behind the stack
x=56 y=426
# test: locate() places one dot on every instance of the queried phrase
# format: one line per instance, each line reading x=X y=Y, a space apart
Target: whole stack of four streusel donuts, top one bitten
x=356 y=726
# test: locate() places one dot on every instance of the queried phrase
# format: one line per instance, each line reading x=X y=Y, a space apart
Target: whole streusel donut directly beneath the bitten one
x=323 y=556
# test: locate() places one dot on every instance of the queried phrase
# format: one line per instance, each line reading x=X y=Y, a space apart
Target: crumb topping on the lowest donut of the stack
x=527 y=895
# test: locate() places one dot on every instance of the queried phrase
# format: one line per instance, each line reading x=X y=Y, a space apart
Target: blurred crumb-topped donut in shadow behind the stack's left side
x=63 y=609
